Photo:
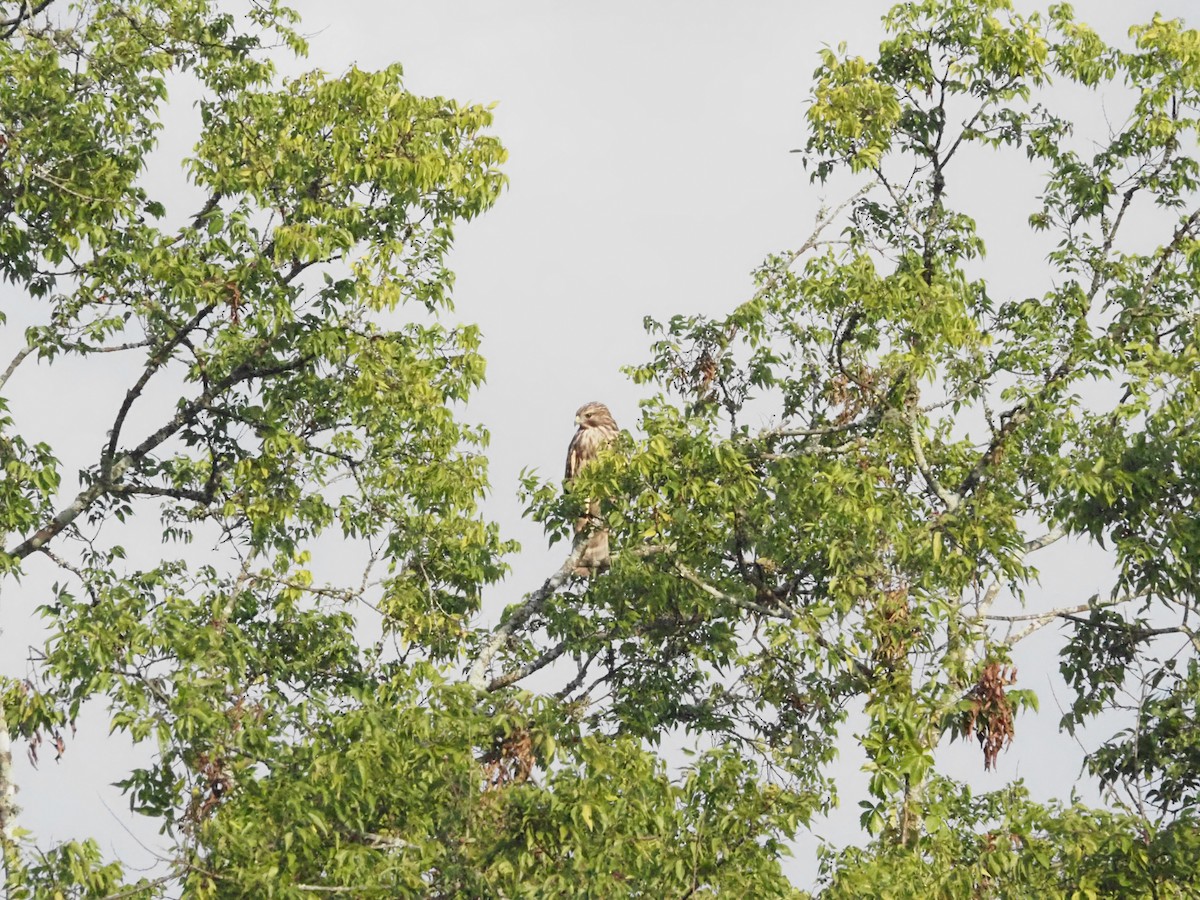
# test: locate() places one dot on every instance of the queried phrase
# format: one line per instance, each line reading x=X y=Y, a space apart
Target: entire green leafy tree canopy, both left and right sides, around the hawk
x=292 y=383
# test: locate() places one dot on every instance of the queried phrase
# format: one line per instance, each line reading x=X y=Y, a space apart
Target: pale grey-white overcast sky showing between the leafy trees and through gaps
x=650 y=173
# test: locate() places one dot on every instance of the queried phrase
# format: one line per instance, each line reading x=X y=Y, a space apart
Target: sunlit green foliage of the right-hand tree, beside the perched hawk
x=929 y=434
